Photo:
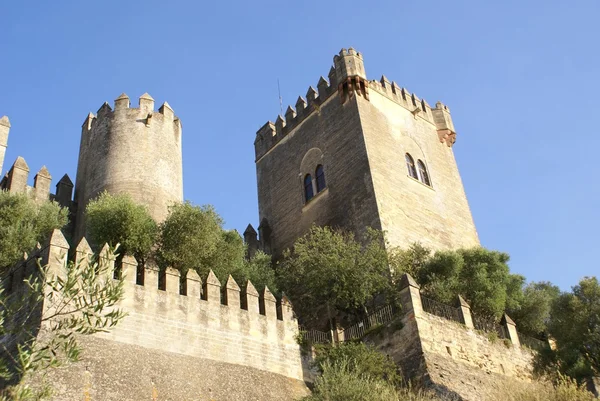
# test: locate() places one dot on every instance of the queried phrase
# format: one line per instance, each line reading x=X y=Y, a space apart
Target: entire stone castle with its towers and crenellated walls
x=355 y=153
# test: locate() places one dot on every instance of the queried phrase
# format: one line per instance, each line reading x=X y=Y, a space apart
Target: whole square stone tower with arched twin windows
x=360 y=153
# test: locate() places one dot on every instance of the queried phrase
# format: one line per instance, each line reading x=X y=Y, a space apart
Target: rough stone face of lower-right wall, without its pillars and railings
x=453 y=359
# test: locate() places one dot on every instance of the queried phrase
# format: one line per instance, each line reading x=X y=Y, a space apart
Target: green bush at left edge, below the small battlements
x=23 y=223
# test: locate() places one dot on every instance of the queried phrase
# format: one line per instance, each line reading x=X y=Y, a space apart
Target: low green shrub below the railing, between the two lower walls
x=359 y=358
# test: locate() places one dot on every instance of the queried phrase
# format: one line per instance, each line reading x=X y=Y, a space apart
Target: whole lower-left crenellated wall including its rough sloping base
x=215 y=337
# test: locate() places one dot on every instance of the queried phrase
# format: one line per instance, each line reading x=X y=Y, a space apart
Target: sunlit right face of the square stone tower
x=410 y=211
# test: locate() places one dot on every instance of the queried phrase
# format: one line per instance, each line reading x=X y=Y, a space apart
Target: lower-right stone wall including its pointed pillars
x=449 y=353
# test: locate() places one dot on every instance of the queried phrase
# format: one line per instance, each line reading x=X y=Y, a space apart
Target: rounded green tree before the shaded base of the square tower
x=328 y=268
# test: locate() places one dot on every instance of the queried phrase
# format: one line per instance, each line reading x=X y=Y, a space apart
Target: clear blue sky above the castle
x=521 y=79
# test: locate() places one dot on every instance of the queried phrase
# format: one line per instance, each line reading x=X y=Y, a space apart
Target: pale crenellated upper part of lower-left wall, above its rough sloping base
x=195 y=316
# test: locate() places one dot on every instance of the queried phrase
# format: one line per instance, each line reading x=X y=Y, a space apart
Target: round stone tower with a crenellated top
x=130 y=150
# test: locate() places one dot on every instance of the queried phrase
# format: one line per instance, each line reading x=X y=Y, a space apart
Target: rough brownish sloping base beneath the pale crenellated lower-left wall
x=127 y=372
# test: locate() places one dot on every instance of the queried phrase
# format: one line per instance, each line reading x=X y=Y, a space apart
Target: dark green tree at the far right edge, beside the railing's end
x=575 y=325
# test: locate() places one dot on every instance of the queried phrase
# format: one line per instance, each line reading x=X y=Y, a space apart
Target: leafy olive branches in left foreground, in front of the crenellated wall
x=73 y=299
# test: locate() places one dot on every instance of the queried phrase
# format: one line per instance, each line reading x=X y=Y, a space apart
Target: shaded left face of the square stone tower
x=332 y=136
